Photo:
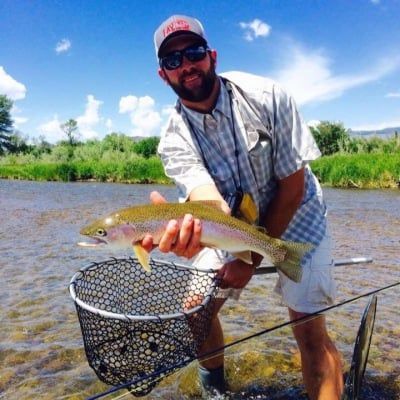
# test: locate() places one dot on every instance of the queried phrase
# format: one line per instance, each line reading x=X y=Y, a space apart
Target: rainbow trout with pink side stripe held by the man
x=127 y=228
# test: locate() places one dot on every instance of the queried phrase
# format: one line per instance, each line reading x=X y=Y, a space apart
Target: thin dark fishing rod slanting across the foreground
x=158 y=374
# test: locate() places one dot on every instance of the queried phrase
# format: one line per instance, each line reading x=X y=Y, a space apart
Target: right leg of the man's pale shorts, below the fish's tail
x=317 y=289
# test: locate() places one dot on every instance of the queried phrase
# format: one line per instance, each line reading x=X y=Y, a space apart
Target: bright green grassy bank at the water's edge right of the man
x=373 y=170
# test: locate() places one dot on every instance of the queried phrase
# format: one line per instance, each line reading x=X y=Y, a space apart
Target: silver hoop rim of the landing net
x=128 y=317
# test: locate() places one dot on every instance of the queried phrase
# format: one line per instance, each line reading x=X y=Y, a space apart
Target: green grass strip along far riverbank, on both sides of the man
x=364 y=171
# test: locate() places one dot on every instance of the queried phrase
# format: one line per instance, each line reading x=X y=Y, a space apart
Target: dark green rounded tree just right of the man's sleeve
x=331 y=137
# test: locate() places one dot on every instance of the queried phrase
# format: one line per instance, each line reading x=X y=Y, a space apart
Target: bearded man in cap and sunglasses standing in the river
x=244 y=144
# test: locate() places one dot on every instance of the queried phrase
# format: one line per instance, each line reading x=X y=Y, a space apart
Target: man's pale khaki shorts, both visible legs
x=315 y=291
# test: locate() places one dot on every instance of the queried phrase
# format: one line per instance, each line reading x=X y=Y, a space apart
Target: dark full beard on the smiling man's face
x=200 y=93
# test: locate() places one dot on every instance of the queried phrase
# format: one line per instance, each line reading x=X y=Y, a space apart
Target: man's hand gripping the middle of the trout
x=183 y=241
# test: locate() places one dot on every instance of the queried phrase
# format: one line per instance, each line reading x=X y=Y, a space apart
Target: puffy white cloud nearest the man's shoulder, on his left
x=145 y=119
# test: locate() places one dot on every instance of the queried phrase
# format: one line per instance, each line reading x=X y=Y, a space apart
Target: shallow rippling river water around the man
x=41 y=349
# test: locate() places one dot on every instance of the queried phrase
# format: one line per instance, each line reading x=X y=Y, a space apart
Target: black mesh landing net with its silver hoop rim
x=138 y=325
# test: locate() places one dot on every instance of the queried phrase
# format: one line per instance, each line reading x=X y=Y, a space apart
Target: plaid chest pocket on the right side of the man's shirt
x=260 y=157
